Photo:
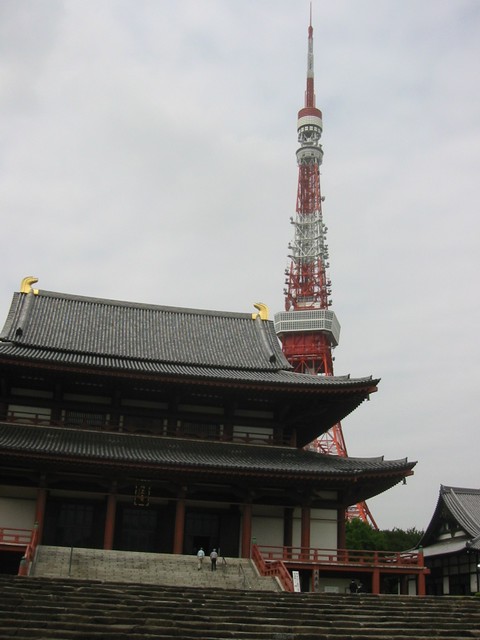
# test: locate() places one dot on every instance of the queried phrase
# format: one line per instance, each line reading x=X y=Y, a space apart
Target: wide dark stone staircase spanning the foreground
x=36 y=608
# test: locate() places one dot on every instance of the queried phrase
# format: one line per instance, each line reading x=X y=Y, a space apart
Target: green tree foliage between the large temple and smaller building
x=361 y=536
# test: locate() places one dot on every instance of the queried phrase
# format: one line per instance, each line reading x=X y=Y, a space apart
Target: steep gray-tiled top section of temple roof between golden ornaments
x=64 y=323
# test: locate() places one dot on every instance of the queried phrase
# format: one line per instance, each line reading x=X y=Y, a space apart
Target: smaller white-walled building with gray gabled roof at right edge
x=451 y=543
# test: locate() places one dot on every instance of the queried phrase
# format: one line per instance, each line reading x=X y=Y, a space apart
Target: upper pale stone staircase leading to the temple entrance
x=152 y=568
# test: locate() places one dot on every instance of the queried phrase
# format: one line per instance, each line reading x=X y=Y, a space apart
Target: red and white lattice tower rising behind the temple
x=308 y=328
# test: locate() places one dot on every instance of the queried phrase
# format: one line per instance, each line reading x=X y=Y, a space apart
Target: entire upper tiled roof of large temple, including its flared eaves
x=68 y=330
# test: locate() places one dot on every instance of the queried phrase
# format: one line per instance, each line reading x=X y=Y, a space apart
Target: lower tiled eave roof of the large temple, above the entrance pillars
x=154 y=454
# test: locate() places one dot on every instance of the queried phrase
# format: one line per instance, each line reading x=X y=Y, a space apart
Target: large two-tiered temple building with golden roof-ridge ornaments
x=150 y=428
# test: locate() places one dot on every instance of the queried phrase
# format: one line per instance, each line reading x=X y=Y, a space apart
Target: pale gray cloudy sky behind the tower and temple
x=147 y=153
